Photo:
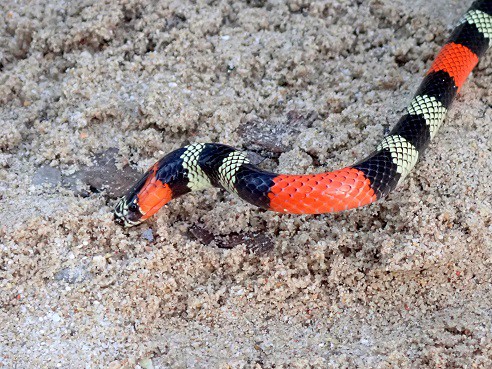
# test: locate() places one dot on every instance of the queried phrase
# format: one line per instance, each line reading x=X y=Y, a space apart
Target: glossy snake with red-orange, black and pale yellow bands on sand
x=201 y=165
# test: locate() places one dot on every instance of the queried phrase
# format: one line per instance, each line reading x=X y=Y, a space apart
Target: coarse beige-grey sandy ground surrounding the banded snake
x=93 y=92
